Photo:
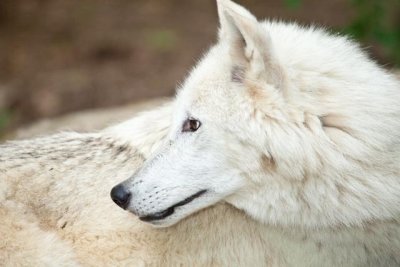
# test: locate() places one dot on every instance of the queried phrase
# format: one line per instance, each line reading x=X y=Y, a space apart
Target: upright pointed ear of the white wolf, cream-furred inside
x=250 y=43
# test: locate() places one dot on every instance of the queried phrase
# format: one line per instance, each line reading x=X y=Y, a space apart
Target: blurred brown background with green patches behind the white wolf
x=60 y=56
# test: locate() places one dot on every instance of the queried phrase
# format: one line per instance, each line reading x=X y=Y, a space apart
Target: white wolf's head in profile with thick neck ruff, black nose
x=276 y=120
